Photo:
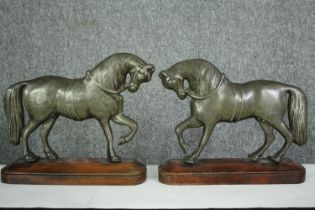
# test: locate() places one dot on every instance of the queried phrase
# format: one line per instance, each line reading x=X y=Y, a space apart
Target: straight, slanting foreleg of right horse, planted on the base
x=207 y=130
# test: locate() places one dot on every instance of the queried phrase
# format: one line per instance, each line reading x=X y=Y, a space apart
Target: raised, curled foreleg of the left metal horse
x=122 y=119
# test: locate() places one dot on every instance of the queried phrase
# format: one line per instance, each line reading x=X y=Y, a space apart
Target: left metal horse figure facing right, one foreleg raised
x=96 y=95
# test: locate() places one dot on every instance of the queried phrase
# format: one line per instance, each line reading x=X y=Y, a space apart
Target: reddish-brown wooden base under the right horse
x=231 y=171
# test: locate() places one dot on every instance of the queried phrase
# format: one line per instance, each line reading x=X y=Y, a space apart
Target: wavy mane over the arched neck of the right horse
x=202 y=75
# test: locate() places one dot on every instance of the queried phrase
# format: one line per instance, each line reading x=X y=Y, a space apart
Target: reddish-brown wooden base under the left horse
x=74 y=172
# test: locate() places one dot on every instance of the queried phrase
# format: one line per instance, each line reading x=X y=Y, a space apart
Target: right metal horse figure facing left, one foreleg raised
x=216 y=99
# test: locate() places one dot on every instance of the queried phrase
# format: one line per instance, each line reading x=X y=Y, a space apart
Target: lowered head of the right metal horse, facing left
x=173 y=81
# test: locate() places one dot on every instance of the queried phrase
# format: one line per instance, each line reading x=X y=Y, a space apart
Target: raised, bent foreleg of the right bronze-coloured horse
x=180 y=128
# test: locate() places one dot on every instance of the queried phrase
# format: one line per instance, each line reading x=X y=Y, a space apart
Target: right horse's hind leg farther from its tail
x=269 y=138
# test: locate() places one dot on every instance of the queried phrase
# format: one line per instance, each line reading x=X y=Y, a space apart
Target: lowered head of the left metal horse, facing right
x=138 y=75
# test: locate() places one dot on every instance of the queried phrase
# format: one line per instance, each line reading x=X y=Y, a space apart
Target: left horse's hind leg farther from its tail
x=44 y=132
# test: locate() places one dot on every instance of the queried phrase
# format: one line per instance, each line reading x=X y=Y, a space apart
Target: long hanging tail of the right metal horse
x=298 y=115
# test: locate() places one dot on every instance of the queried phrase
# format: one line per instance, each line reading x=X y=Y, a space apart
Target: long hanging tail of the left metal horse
x=13 y=108
